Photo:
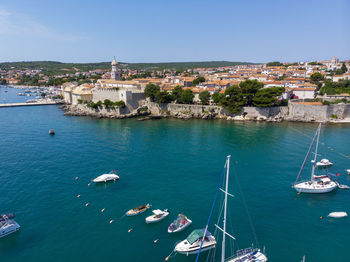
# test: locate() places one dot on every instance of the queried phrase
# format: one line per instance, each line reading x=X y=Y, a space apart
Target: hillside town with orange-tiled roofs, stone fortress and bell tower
x=303 y=80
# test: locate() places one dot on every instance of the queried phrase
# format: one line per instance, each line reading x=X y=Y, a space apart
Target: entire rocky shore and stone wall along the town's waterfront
x=295 y=111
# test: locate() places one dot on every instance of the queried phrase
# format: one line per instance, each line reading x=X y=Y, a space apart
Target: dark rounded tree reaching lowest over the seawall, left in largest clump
x=233 y=100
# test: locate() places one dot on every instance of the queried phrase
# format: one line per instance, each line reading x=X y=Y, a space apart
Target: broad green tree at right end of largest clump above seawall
x=267 y=96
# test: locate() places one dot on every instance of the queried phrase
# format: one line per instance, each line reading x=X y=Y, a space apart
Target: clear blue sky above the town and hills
x=182 y=30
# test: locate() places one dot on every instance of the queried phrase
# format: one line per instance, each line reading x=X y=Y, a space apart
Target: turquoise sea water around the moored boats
x=170 y=164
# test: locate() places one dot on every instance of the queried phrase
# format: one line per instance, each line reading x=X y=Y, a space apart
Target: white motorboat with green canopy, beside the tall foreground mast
x=192 y=243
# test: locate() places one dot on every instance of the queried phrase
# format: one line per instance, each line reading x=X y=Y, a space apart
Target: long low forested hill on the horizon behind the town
x=58 y=66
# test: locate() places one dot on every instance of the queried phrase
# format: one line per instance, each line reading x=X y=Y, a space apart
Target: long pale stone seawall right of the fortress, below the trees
x=293 y=112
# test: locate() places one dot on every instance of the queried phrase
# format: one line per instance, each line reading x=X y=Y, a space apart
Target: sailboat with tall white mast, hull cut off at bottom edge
x=247 y=255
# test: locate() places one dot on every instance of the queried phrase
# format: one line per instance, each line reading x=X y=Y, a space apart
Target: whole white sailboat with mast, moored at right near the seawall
x=316 y=184
